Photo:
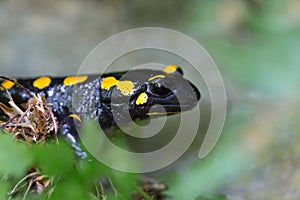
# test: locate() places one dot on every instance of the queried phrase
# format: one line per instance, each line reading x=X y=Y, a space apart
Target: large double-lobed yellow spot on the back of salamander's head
x=125 y=87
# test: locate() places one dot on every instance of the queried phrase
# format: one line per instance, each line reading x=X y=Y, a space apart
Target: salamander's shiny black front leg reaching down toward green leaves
x=68 y=130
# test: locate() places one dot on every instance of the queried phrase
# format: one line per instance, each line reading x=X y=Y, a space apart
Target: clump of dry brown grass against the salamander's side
x=35 y=124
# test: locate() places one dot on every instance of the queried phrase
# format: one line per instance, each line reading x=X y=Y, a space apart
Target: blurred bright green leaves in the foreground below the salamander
x=72 y=178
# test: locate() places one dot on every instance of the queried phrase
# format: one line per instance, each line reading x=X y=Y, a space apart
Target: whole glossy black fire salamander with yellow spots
x=94 y=96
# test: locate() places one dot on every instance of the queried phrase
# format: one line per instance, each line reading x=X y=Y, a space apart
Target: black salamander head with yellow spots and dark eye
x=149 y=92
